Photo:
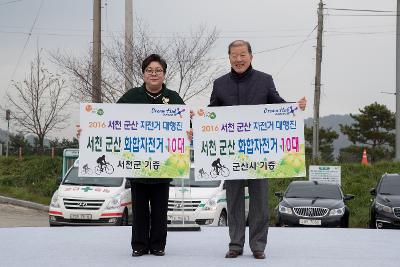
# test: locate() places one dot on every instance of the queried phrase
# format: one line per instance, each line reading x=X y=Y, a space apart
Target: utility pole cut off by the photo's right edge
x=397 y=146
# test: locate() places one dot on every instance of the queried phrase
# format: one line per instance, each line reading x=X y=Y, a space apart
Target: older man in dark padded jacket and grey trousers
x=246 y=86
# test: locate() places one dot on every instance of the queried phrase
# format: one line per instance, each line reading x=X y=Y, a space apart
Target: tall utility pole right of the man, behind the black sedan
x=317 y=92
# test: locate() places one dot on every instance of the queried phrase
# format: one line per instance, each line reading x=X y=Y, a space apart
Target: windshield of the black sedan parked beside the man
x=312 y=190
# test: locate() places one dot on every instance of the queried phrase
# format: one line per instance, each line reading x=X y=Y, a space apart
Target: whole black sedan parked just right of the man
x=310 y=203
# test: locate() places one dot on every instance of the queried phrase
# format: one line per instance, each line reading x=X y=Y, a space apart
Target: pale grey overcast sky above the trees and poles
x=358 y=58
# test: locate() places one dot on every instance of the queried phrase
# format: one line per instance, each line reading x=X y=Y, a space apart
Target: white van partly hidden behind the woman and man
x=201 y=202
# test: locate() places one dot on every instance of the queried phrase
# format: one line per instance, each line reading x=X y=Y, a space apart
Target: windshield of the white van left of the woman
x=73 y=179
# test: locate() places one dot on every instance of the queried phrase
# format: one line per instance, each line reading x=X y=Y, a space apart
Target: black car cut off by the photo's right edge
x=385 y=208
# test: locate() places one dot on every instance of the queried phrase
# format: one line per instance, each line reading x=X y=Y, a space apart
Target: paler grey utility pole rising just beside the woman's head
x=128 y=44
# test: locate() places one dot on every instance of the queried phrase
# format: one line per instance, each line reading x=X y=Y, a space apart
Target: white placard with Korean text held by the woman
x=136 y=140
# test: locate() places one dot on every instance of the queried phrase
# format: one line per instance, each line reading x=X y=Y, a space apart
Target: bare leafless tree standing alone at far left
x=40 y=101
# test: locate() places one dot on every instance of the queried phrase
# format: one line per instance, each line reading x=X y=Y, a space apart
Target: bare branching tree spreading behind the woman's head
x=190 y=70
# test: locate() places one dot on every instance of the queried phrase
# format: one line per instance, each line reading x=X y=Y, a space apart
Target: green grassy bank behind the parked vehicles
x=35 y=179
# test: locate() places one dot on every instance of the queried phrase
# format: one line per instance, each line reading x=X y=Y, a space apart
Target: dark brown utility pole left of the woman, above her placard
x=96 y=64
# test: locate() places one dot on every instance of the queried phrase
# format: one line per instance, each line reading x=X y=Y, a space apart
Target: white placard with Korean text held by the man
x=249 y=142
